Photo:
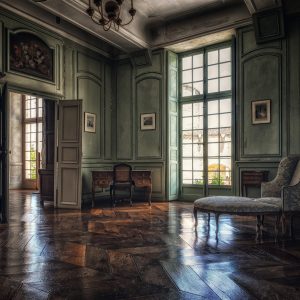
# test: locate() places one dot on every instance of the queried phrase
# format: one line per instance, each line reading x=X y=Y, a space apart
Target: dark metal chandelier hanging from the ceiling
x=109 y=13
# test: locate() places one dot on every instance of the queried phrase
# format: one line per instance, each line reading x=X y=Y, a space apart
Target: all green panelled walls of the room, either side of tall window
x=118 y=93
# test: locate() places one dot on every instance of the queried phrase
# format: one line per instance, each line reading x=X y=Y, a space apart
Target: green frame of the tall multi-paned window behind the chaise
x=205 y=98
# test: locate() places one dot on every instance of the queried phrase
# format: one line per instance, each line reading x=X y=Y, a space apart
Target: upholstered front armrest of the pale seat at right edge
x=291 y=197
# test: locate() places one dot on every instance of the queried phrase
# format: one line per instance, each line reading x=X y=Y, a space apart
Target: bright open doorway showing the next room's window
x=26 y=143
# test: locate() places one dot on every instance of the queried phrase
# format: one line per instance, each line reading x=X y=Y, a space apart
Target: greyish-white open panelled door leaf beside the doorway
x=69 y=152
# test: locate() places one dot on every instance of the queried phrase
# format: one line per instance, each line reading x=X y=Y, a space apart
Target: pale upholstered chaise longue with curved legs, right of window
x=279 y=197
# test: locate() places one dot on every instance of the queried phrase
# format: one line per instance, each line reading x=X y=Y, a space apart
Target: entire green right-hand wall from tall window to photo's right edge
x=267 y=71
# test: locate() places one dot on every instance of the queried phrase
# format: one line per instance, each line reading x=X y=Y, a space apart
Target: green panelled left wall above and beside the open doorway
x=79 y=74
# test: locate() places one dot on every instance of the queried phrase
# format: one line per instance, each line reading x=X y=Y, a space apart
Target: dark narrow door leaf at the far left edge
x=4 y=155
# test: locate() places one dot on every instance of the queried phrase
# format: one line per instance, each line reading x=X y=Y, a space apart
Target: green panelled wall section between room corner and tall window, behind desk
x=142 y=90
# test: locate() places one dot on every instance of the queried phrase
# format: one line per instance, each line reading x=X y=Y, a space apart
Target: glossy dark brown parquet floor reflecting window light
x=140 y=253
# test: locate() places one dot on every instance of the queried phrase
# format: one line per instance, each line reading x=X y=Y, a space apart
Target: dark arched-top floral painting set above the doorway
x=30 y=55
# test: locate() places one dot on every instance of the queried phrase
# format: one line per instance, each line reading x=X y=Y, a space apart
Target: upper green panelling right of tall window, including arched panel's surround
x=261 y=75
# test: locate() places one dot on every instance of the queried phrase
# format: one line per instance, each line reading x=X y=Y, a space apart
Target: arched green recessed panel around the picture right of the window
x=262 y=80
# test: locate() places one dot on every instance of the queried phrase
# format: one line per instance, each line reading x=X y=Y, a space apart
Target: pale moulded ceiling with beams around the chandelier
x=158 y=23
